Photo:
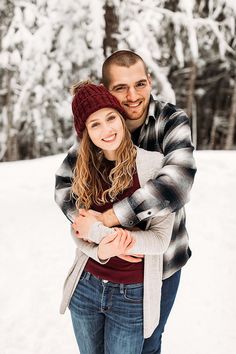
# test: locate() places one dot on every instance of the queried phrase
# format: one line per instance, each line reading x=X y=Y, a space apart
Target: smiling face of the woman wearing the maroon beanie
x=105 y=129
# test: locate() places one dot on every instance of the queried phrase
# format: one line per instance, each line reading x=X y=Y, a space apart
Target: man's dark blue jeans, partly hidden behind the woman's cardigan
x=170 y=285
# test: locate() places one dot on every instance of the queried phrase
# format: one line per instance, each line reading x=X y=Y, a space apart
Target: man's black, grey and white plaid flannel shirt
x=166 y=130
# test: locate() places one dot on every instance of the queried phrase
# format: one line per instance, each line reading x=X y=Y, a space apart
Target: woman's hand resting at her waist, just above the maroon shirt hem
x=115 y=244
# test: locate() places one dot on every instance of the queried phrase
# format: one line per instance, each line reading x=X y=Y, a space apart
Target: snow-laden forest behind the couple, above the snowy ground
x=46 y=46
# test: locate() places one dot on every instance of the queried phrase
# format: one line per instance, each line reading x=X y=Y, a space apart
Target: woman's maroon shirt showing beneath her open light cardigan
x=117 y=270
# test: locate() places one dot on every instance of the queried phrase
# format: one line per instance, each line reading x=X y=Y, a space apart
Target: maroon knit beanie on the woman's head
x=88 y=99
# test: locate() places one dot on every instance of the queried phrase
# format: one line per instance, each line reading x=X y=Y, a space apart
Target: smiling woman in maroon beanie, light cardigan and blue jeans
x=114 y=304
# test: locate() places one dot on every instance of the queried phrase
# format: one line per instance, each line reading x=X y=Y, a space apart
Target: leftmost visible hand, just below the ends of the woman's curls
x=83 y=223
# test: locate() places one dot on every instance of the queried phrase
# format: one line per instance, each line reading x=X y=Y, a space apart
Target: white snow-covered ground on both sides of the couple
x=36 y=251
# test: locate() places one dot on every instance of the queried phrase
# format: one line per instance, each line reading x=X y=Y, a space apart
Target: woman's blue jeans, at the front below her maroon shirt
x=107 y=317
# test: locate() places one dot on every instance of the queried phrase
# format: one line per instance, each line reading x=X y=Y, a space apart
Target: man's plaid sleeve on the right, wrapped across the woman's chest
x=170 y=190
